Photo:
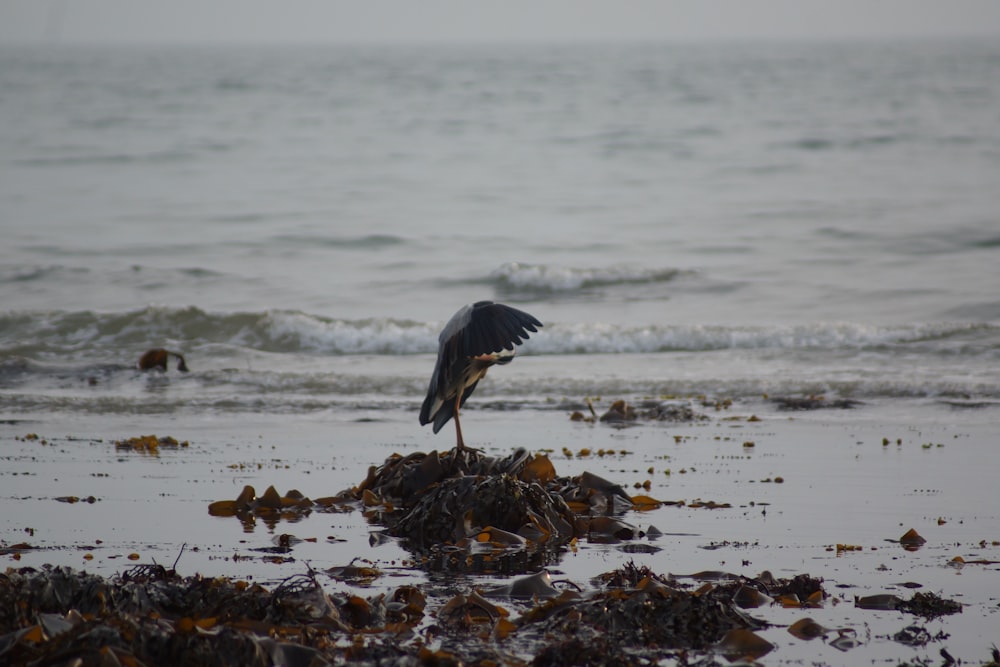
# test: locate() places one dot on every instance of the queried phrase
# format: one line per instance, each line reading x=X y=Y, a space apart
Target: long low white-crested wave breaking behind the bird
x=96 y=335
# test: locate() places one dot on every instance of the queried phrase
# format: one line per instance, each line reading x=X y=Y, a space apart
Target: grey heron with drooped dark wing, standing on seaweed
x=478 y=336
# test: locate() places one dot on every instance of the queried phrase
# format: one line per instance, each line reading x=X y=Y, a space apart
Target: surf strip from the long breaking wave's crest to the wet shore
x=285 y=361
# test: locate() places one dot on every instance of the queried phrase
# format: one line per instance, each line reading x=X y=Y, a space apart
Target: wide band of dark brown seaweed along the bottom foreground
x=149 y=614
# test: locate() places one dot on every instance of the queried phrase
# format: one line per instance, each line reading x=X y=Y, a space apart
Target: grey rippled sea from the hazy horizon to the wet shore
x=735 y=220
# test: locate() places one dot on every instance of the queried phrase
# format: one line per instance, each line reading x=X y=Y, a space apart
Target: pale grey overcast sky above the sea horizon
x=340 y=21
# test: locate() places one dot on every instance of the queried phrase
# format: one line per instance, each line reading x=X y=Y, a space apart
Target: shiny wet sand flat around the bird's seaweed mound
x=791 y=485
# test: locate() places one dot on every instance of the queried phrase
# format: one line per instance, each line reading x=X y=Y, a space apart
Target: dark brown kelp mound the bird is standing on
x=463 y=503
